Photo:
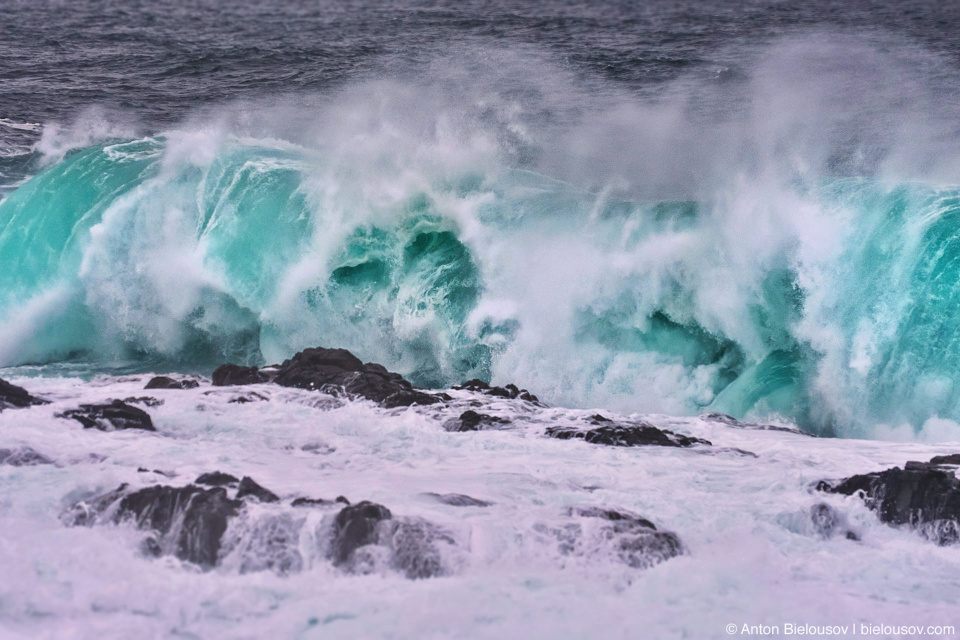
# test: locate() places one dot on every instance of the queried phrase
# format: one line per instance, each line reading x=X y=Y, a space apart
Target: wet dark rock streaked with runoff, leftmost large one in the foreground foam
x=188 y=522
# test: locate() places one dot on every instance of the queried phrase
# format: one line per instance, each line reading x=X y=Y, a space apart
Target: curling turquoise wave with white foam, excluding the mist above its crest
x=835 y=308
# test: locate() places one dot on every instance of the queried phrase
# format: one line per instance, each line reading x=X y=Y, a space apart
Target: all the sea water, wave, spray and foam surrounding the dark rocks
x=658 y=209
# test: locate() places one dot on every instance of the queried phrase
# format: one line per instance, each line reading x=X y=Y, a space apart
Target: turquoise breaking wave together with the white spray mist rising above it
x=505 y=236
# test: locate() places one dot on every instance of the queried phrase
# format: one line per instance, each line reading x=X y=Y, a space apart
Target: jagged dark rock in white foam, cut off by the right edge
x=922 y=495
